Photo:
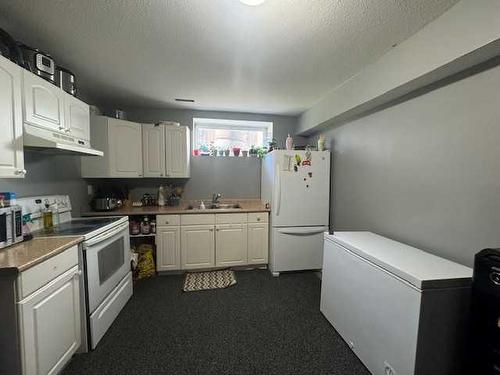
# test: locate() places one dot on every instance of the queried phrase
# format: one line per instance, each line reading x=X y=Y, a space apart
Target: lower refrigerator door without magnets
x=297 y=248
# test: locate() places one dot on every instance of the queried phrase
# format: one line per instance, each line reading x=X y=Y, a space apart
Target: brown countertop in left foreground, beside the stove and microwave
x=20 y=257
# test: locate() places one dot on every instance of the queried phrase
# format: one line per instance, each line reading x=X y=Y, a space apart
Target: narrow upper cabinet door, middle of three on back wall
x=153 y=150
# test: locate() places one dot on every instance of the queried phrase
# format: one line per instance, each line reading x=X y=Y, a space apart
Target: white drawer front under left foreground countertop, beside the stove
x=34 y=278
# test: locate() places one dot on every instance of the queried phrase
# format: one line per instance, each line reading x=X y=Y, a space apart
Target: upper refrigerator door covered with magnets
x=301 y=189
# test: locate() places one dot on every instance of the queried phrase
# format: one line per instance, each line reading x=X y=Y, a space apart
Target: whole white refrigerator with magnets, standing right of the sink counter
x=296 y=184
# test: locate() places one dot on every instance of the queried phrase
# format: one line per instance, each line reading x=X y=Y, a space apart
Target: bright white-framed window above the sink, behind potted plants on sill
x=226 y=134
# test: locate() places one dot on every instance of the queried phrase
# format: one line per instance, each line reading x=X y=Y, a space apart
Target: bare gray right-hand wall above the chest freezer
x=426 y=171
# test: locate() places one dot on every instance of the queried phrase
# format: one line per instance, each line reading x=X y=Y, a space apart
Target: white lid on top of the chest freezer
x=417 y=267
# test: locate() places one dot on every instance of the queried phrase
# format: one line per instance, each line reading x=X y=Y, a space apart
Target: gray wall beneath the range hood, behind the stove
x=50 y=174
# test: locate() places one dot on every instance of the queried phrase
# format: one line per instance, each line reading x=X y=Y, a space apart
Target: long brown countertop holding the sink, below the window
x=247 y=205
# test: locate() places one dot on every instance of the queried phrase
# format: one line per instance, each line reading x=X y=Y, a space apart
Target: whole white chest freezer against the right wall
x=401 y=310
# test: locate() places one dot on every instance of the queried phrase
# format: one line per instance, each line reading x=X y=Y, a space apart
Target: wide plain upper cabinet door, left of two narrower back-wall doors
x=125 y=148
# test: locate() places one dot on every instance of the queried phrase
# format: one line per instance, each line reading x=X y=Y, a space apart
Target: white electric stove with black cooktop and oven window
x=104 y=261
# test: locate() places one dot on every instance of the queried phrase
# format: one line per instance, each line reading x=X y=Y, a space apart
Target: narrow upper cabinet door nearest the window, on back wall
x=177 y=151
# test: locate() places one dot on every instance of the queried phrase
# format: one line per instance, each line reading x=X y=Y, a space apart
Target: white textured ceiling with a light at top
x=280 y=57
